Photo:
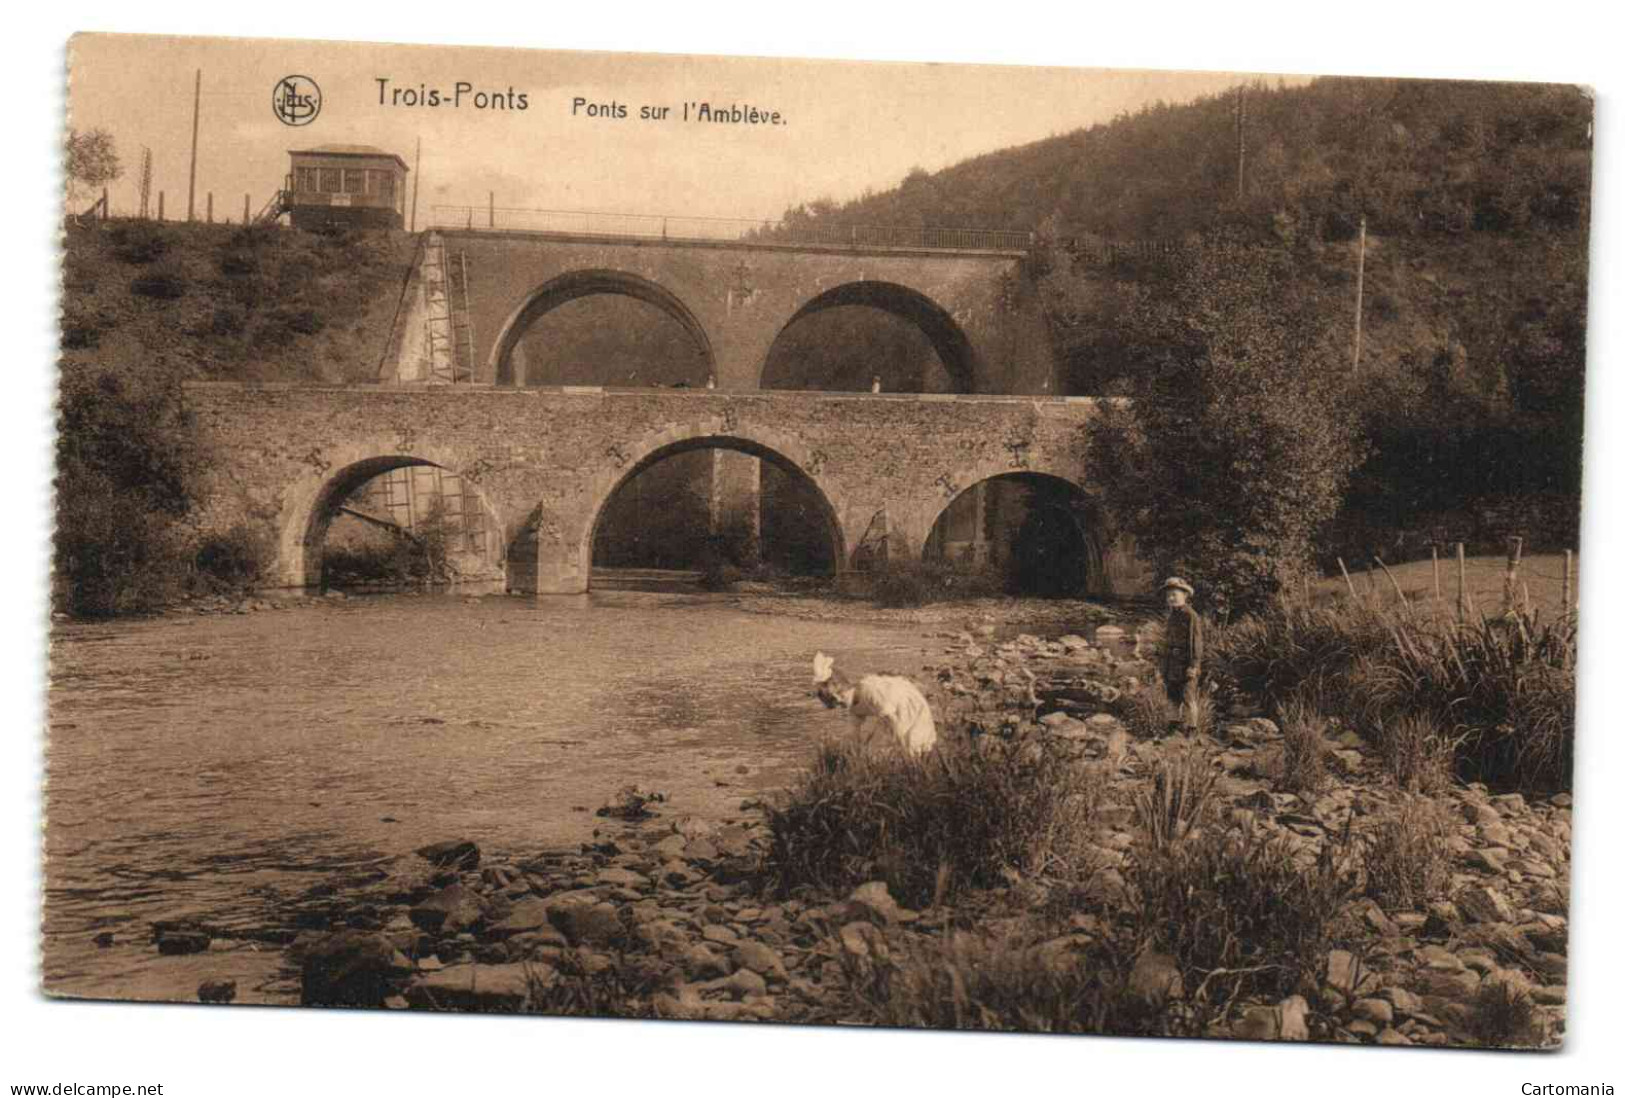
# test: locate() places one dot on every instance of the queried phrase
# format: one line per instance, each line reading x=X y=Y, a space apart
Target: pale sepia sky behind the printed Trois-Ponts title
x=844 y=128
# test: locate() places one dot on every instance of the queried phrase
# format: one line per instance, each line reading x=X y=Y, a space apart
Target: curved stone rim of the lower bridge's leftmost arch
x=313 y=503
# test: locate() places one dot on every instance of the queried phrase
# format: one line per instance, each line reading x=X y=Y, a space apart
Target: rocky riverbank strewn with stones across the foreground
x=662 y=917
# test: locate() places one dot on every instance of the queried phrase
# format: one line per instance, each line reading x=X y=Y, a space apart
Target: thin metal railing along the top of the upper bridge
x=726 y=230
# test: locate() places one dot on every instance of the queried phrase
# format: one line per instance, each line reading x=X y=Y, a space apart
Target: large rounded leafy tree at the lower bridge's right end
x=1237 y=441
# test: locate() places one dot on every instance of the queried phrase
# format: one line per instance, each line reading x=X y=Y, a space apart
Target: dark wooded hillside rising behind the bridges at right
x=1476 y=202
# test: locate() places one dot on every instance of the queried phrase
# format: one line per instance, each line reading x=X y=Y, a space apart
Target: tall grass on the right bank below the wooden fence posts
x=1501 y=691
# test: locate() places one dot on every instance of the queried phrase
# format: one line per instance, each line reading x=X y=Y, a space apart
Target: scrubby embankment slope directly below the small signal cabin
x=269 y=306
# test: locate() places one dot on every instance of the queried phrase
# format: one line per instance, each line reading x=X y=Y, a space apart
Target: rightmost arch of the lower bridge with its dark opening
x=1064 y=522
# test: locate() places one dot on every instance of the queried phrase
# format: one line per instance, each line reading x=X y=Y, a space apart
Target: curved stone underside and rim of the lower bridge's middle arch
x=761 y=443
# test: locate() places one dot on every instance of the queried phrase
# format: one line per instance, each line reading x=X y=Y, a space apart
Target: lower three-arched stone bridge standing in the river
x=547 y=462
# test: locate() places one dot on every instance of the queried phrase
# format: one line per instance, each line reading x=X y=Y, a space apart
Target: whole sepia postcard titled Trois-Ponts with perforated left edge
x=748 y=540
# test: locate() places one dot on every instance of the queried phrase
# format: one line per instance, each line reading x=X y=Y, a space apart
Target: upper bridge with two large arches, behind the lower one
x=734 y=298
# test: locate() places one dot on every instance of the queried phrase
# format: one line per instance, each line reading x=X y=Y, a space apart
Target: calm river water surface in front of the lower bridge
x=214 y=767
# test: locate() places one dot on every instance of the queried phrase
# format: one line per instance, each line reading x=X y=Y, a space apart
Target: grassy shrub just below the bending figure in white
x=960 y=818
